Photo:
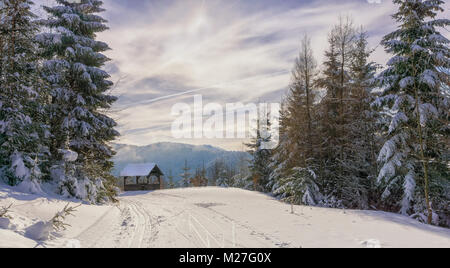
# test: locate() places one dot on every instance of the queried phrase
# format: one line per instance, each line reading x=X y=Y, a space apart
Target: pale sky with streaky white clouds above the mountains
x=166 y=51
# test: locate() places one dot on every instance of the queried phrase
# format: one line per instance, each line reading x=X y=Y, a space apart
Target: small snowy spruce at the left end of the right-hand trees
x=261 y=153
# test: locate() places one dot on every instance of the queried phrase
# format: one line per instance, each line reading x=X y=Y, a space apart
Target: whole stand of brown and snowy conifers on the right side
x=379 y=138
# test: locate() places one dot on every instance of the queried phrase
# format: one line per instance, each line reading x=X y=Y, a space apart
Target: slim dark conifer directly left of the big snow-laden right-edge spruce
x=359 y=165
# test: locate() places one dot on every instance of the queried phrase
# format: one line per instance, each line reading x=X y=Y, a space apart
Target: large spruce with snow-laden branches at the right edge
x=414 y=176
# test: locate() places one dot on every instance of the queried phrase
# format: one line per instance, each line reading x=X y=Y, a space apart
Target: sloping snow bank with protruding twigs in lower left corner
x=31 y=214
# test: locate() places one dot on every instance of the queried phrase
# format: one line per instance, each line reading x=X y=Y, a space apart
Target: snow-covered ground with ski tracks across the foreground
x=212 y=217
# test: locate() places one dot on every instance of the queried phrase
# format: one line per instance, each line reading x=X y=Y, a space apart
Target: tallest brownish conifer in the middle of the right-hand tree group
x=338 y=114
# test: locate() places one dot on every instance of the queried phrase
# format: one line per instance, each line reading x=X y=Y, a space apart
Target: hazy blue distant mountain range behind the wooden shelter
x=170 y=157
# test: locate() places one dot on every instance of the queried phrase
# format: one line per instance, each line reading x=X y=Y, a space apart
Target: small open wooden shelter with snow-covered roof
x=142 y=177
